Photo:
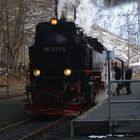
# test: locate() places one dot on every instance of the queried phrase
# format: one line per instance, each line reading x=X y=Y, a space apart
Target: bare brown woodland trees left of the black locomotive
x=18 y=19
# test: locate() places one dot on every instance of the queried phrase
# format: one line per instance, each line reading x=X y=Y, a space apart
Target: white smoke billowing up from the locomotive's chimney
x=85 y=12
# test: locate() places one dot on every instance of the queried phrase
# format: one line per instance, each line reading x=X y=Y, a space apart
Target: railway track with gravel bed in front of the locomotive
x=29 y=129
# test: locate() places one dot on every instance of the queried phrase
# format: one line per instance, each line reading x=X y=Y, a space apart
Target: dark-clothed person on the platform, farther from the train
x=128 y=76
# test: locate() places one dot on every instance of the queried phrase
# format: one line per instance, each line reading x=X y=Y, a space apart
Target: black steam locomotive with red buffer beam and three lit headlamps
x=65 y=69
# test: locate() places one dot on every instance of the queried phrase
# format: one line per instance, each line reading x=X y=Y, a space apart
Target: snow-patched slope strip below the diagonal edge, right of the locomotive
x=121 y=47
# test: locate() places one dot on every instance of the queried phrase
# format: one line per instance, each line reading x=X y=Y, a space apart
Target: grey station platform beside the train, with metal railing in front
x=123 y=117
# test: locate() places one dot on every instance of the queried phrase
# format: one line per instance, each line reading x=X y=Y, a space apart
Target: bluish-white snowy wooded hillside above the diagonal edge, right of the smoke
x=121 y=20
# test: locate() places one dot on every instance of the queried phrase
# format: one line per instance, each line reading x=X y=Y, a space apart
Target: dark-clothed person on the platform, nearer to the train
x=117 y=77
